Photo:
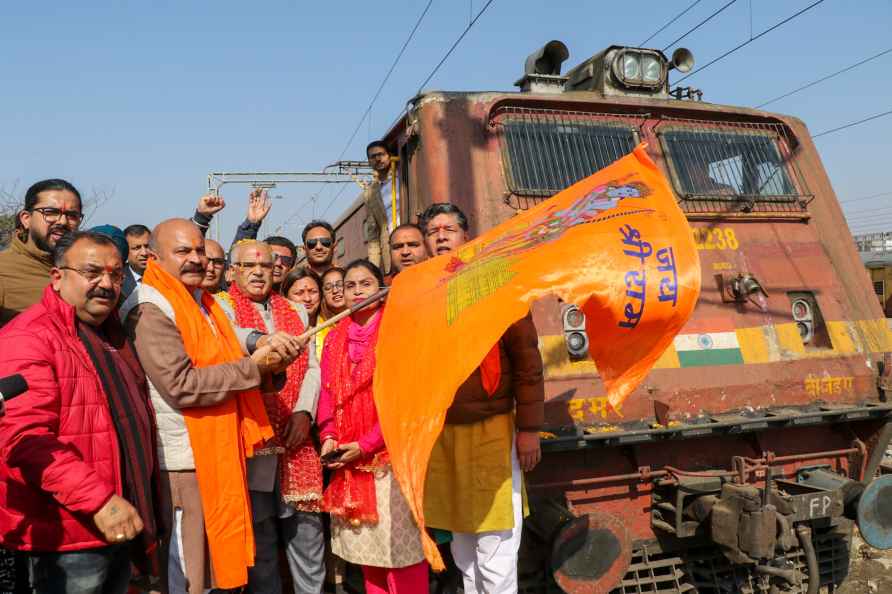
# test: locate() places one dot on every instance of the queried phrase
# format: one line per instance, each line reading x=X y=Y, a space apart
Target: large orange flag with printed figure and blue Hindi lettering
x=616 y=244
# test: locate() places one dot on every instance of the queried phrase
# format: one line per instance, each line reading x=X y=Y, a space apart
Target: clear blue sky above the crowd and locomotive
x=148 y=98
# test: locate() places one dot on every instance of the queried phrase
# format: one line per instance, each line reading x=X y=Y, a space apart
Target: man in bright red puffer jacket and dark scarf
x=76 y=458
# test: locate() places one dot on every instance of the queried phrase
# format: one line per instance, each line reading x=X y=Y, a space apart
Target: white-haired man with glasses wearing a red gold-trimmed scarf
x=285 y=478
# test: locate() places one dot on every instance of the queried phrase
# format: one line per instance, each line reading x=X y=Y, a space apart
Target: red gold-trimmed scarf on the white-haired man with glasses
x=300 y=471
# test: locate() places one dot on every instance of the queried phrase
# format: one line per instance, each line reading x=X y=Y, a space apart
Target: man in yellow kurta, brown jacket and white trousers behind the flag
x=491 y=436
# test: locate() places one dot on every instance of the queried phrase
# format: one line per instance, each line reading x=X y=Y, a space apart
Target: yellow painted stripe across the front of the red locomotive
x=759 y=344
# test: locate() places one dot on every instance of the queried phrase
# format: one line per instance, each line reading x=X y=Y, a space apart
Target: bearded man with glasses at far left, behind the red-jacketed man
x=52 y=208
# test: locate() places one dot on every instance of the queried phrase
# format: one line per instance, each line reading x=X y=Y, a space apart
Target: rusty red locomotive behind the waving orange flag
x=744 y=460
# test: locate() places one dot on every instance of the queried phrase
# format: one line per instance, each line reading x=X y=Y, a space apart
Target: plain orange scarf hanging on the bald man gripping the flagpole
x=221 y=435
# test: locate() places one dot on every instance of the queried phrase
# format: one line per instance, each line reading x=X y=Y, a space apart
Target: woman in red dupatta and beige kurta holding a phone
x=371 y=524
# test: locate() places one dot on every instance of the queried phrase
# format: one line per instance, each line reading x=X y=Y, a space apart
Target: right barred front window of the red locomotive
x=728 y=165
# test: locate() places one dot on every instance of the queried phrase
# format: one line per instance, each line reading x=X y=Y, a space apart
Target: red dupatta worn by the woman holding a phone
x=348 y=371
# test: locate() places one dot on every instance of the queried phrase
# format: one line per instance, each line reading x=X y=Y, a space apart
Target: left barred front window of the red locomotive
x=544 y=154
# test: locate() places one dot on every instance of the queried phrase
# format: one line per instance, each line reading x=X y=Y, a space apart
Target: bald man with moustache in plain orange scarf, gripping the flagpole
x=208 y=408
